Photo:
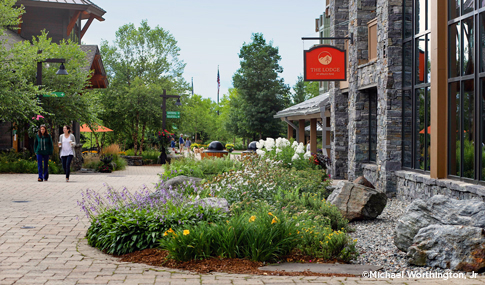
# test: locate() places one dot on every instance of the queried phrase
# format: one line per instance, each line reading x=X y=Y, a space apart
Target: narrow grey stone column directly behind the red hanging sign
x=339 y=26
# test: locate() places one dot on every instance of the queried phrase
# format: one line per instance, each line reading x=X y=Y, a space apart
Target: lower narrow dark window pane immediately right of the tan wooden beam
x=454 y=129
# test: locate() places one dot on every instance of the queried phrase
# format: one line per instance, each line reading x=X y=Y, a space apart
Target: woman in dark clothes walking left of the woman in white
x=43 y=148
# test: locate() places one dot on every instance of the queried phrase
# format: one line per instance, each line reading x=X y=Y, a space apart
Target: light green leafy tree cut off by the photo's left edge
x=15 y=88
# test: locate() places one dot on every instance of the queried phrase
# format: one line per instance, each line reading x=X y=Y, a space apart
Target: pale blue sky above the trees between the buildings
x=211 y=33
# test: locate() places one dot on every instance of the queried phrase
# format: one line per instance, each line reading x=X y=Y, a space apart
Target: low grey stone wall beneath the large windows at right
x=412 y=185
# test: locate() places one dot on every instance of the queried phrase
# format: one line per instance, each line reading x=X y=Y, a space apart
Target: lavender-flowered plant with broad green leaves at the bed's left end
x=122 y=222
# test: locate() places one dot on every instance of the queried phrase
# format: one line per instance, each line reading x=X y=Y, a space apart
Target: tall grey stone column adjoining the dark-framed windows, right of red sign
x=389 y=93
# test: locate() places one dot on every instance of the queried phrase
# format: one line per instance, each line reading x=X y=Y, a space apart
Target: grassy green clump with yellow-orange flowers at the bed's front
x=259 y=236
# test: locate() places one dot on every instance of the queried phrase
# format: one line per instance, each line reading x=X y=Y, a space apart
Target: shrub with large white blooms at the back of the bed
x=292 y=155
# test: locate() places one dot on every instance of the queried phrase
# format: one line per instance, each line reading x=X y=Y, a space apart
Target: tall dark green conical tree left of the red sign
x=258 y=83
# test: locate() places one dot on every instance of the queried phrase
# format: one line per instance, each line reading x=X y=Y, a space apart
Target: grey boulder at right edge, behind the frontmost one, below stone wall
x=438 y=210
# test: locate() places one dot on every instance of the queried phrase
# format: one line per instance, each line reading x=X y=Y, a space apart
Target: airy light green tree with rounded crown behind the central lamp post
x=140 y=63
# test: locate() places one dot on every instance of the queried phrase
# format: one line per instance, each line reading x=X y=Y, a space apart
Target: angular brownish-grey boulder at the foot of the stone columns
x=357 y=202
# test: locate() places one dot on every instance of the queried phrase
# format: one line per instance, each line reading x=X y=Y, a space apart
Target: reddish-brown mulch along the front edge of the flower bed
x=157 y=257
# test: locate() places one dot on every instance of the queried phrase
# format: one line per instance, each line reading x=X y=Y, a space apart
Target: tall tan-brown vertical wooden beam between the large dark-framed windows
x=439 y=88
